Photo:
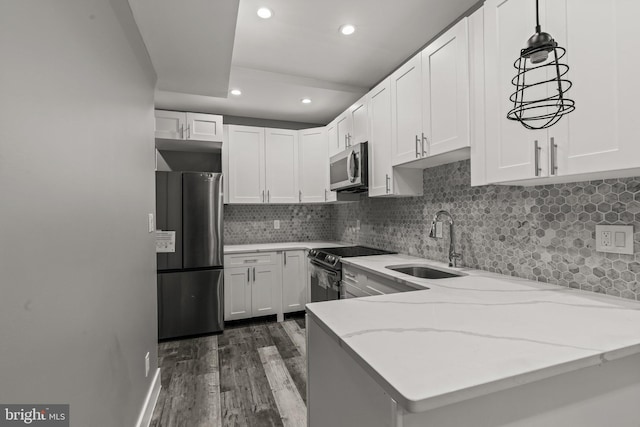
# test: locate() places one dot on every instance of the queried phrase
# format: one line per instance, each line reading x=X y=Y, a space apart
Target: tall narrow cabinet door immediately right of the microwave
x=380 y=138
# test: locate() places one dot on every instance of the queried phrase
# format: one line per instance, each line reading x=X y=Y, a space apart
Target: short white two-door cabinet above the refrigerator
x=188 y=126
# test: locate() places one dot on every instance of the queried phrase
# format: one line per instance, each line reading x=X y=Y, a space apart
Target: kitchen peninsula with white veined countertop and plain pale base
x=478 y=350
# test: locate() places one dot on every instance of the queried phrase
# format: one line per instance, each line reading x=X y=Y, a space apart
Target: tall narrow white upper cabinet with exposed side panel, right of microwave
x=384 y=180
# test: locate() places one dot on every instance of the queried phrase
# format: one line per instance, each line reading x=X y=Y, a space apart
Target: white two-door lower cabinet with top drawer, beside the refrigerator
x=252 y=285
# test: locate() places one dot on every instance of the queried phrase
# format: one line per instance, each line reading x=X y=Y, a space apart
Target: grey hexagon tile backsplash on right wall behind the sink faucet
x=544 y=233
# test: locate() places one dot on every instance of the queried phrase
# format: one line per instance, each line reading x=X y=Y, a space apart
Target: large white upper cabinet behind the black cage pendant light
x=597 y=139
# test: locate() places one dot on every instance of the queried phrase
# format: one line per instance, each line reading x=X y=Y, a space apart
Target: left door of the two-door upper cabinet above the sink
x=406 y=110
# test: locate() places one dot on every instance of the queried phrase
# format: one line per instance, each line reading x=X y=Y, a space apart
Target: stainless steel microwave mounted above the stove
x=348 y=169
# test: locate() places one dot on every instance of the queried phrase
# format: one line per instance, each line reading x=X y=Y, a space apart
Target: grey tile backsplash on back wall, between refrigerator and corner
x=254 y=223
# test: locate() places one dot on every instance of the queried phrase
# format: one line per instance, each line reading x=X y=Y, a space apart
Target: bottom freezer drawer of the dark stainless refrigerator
x=190 y=303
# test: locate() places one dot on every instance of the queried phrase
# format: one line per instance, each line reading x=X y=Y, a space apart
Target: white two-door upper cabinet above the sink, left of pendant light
x=430 y=102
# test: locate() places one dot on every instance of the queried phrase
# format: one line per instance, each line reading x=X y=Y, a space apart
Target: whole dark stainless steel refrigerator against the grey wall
x=190 y=280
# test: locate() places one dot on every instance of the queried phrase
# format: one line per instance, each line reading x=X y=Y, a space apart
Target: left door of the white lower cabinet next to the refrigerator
x=237 y=293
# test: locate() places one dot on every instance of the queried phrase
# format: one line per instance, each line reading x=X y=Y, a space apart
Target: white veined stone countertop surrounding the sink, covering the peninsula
x=470 y=336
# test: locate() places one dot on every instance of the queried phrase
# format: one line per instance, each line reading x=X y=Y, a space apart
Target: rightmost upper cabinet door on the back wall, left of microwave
x=313 y=165
